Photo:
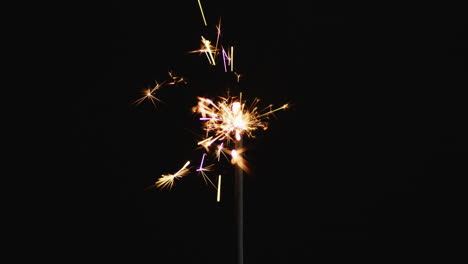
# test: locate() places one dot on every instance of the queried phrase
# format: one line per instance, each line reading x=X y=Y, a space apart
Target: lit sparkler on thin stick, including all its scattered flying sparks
x=225 y=120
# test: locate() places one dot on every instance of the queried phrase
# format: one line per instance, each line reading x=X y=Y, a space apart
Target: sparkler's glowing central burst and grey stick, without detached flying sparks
x=228 y=120
